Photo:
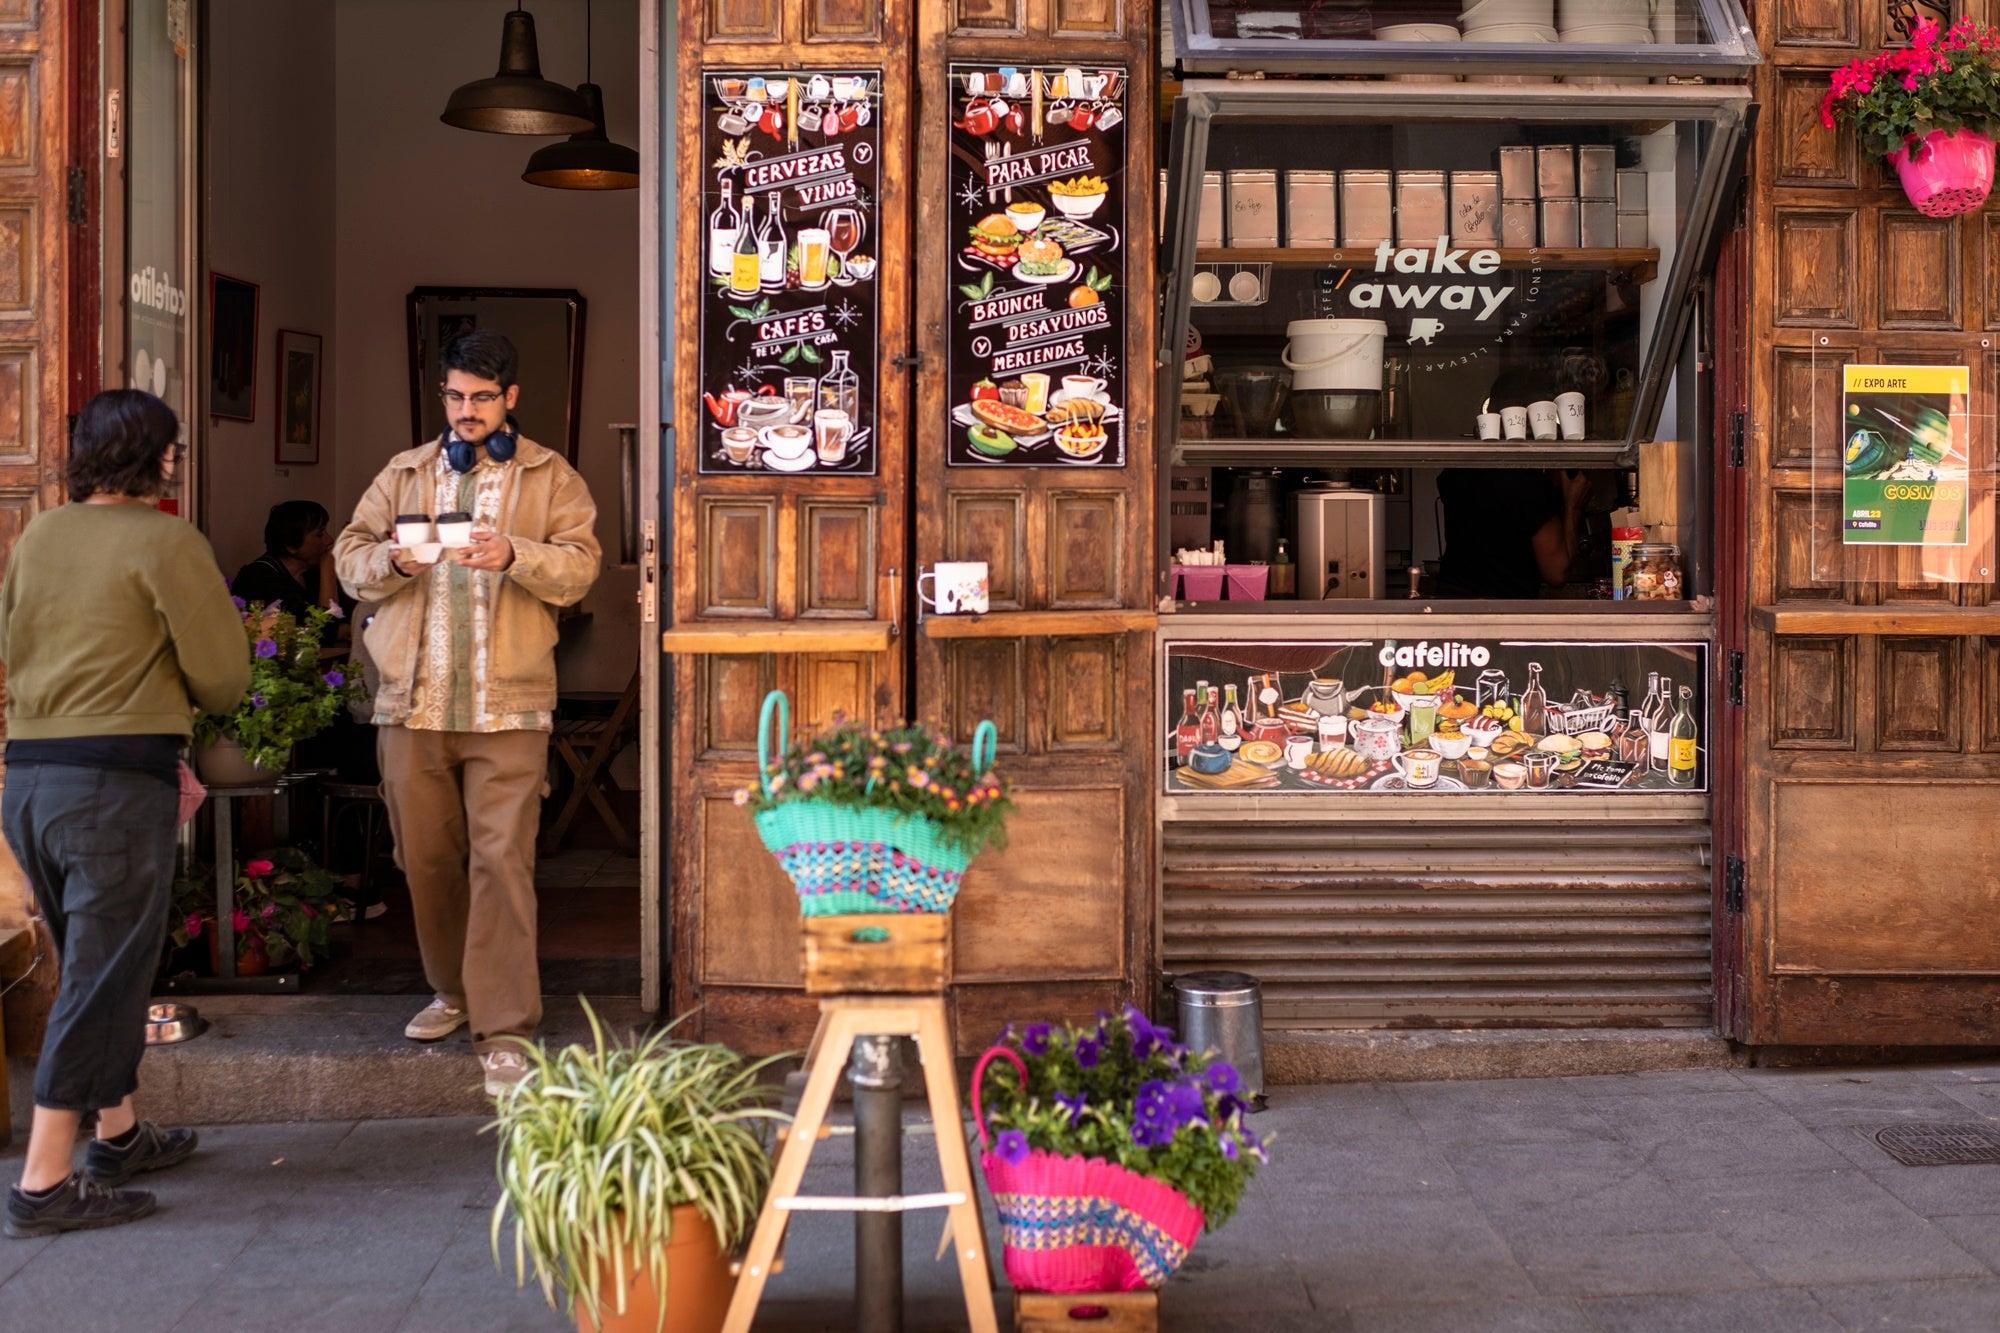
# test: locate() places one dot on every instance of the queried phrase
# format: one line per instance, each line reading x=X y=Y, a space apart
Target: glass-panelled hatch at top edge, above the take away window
x=1633 y=39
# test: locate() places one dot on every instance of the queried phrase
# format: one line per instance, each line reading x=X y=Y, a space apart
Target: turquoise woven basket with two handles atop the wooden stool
x=859 y=858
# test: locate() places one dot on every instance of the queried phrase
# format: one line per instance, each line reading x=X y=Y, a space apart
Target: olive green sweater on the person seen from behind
x=115 y=621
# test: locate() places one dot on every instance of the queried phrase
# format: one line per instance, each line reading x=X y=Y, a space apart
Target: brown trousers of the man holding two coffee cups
x=465 y=810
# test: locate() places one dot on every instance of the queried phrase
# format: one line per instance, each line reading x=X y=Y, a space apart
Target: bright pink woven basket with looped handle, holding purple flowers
x=1081 y=1224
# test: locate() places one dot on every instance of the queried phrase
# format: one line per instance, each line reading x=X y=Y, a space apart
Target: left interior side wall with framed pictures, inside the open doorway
x=271 y=221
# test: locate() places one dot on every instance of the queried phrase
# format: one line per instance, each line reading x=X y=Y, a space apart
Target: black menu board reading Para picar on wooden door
x=1037 y=247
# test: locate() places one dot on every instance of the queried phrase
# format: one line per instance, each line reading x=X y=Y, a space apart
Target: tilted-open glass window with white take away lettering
x=1503 y=249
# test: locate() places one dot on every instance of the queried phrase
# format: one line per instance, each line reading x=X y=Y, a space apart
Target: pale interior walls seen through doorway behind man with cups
x=333 y=175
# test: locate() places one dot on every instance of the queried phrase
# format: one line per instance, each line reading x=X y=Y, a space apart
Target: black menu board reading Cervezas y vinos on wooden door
x=789 y=327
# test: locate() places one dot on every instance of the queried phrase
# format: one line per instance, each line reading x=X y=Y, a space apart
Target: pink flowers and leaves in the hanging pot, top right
x=1937 y=83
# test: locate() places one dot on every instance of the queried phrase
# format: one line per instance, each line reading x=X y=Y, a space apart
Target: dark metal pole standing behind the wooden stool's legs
x=877 y=1078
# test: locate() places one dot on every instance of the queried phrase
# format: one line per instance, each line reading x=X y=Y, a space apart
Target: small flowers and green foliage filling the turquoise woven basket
x=909 y=770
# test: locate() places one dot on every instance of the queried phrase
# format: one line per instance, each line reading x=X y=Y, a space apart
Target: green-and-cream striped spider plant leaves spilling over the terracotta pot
x=601 y=1142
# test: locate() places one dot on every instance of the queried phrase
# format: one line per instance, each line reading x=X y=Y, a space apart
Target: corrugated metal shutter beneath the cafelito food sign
x=1409 y=926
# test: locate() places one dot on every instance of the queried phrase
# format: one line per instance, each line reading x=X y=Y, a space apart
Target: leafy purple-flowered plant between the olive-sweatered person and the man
x=291 y=698
